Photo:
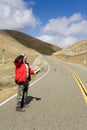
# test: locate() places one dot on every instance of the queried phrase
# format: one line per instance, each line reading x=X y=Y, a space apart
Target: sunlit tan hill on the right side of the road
x=76 y=53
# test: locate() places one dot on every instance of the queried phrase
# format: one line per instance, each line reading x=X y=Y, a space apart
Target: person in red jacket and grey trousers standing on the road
x=22 y=77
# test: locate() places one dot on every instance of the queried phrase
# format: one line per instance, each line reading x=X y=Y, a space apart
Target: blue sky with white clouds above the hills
x=59 y=22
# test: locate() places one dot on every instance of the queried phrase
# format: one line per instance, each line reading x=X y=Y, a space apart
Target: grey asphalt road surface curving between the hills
x=55 y=102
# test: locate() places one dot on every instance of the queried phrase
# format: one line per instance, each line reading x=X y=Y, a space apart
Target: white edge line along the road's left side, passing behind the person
x=30 y=85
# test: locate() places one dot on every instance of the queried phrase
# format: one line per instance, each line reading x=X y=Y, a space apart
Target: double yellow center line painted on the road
x=79 y=82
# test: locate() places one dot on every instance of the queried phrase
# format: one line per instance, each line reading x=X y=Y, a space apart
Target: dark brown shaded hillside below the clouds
x=31 y=42
